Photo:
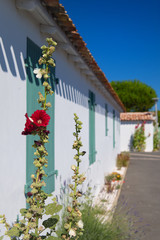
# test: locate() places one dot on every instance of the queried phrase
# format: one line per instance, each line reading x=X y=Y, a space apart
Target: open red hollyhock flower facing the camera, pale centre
x=40 y=118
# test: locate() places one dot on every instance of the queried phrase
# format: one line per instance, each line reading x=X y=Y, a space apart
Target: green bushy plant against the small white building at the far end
x=139 y=139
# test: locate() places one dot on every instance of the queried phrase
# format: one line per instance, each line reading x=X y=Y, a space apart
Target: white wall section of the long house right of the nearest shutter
x=73 y=88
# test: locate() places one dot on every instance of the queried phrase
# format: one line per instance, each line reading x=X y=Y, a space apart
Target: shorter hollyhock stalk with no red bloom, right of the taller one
x=73 y=222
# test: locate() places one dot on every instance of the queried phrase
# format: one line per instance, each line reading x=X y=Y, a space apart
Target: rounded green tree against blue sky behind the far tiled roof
x=135 y=95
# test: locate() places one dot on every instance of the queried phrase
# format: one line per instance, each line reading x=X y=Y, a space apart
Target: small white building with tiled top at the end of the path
x=129 y=121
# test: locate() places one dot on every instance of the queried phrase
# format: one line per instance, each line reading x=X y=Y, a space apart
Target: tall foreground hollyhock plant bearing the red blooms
x=31 y=225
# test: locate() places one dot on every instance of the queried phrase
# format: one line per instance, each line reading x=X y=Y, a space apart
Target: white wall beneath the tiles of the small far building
x=127 y=131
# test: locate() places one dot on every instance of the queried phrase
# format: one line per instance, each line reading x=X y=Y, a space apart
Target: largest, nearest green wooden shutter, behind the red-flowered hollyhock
x=34 y=85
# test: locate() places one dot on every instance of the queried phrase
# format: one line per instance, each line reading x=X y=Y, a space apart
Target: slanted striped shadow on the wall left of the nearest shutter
x=11 y=59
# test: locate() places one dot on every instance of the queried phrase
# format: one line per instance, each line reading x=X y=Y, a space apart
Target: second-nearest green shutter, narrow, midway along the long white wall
x=92 y=151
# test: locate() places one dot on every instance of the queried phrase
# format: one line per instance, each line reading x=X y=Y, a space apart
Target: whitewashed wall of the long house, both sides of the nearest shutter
x=71 y=97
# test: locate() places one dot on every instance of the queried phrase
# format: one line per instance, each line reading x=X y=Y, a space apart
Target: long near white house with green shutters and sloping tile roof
x=79 y=87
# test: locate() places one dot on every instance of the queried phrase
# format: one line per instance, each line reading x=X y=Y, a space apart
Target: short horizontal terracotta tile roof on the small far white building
x=130 y=116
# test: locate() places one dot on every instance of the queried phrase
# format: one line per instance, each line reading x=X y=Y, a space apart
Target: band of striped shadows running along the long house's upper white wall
x=12 y=60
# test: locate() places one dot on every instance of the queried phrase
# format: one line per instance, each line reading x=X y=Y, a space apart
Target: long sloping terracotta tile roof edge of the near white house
x=62 y=19
